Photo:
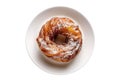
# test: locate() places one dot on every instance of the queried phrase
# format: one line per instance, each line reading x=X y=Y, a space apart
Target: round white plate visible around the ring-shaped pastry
x=33 y=49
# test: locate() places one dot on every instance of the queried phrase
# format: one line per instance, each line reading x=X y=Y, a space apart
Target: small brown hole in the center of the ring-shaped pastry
x=60 y=39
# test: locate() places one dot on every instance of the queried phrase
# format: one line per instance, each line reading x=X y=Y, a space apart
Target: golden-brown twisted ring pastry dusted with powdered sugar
x=60 y=39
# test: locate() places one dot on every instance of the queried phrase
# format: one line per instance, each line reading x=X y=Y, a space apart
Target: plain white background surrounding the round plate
x=15 y=17
